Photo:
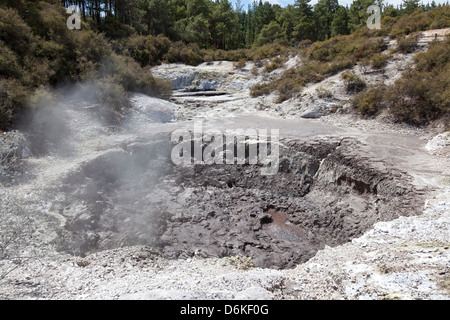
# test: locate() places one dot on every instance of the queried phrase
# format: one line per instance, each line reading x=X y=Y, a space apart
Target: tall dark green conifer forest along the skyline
x=218 y=24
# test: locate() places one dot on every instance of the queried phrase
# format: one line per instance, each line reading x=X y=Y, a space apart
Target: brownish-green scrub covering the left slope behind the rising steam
x=37 y=50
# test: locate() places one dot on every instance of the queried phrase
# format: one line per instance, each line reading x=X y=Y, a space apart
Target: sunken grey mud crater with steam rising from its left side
x=327 y=192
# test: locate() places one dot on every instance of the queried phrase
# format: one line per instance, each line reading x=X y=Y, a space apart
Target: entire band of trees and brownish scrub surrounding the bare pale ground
x=121 y=39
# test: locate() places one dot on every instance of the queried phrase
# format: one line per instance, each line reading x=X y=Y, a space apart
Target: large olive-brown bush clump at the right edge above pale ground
x=421 y=95
